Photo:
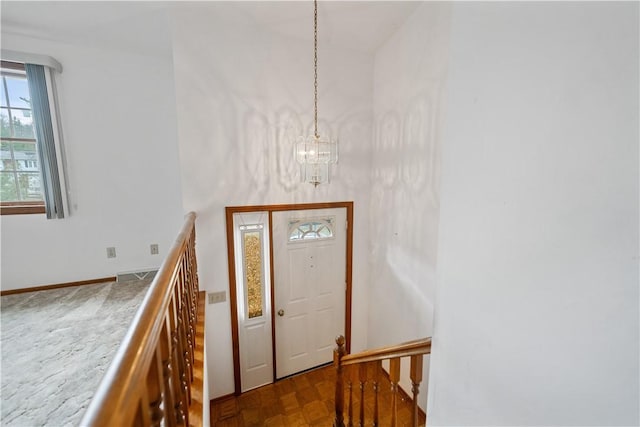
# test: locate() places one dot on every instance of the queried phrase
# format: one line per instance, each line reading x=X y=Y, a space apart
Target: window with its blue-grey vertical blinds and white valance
x=31 y=167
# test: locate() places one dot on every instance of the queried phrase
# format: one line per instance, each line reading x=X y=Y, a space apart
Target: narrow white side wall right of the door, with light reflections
x=410 y=72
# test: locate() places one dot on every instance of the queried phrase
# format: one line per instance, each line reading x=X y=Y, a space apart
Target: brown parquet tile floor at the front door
x=306 y=399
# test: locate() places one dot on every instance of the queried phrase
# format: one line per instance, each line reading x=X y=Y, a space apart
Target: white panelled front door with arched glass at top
x=309 y=249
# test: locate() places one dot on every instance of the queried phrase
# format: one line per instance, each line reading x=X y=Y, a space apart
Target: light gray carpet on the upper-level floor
x=57 y=345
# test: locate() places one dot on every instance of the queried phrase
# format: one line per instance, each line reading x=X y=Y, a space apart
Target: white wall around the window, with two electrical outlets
x=119 y=123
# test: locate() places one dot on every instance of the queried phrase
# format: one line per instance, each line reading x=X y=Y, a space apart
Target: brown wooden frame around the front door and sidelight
x=233 y=286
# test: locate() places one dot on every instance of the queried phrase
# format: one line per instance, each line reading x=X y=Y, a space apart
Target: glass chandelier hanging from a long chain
x=315 y=153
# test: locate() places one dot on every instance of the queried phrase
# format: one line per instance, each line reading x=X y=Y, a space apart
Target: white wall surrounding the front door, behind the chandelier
x=243 y=95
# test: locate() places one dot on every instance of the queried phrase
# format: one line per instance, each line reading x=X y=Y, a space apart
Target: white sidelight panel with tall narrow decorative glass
x=251 y=242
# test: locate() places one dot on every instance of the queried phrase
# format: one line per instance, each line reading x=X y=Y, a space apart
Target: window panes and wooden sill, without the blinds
x=20 y=180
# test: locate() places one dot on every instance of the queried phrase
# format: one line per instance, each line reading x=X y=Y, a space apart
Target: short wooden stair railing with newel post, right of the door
x=366 y=366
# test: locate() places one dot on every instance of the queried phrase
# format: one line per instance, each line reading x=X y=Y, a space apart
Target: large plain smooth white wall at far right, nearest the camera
x=537 y=302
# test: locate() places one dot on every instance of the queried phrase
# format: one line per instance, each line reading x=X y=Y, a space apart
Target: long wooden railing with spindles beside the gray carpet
x=149 y=381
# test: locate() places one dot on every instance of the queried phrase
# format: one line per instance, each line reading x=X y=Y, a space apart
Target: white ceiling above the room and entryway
x=359 y=25
